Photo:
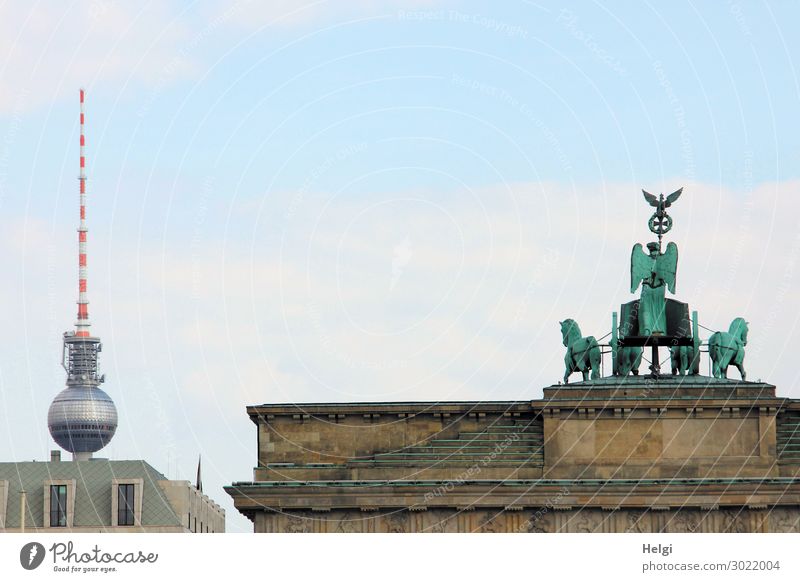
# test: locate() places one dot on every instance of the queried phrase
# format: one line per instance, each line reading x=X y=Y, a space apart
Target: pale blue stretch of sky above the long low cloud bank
x=679 y=90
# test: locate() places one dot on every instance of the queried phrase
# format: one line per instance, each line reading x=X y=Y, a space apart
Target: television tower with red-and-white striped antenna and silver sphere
x=82 y=418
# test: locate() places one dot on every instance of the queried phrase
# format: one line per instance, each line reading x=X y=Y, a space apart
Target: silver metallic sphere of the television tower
x=82 y=419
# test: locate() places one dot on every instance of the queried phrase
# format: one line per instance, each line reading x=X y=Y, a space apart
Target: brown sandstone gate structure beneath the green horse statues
x=676 y=454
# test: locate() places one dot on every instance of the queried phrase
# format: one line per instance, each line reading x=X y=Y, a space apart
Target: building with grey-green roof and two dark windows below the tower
x=99 y=495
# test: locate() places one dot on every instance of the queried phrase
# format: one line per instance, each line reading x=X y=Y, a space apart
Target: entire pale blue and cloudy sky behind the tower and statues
x=379 y=200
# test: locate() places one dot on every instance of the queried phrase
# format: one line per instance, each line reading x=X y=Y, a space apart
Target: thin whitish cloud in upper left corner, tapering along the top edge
x=47 y=53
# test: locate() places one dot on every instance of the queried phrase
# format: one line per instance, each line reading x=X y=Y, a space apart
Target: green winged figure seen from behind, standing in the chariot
x=656 y=272
